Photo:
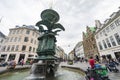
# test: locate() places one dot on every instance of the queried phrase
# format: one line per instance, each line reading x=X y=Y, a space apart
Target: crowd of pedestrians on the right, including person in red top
x=104 y=61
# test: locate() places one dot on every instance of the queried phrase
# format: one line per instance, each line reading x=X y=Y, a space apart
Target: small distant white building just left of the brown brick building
x=79 y=51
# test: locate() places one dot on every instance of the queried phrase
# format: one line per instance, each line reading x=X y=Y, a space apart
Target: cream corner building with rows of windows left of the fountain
x=21 y=43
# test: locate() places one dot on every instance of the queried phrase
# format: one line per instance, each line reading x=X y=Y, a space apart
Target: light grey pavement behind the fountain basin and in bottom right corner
x=84 y=66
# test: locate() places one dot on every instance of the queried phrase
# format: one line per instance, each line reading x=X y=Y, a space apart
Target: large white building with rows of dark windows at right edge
x=108 y=36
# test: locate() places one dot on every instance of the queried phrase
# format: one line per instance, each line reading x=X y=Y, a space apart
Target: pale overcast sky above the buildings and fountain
x=75 y=15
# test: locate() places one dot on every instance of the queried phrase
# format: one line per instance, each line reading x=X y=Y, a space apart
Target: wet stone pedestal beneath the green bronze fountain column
x=43 y=70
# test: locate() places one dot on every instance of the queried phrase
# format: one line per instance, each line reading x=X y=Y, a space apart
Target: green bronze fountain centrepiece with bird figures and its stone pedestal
x=47 y=62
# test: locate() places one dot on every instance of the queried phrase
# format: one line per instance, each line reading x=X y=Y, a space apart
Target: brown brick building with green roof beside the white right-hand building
x=89 y=42
